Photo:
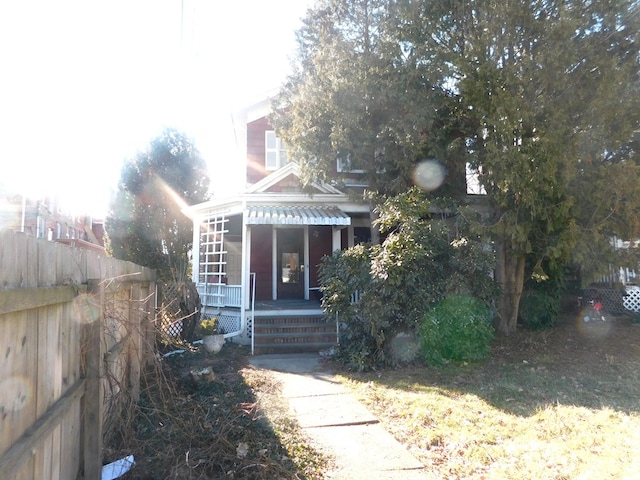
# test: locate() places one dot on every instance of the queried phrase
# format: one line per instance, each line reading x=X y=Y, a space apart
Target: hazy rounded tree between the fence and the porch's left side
x=145 y=224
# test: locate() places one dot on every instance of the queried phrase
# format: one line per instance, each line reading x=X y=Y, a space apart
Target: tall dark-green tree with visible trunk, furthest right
x=548 y=88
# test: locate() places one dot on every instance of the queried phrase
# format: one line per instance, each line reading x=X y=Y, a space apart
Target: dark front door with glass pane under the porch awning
x=290 y=266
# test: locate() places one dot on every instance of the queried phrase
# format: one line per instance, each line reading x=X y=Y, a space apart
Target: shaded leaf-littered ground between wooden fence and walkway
x=198 y=425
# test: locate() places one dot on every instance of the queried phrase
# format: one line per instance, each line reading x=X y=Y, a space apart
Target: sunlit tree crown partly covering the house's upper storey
x=355 y=96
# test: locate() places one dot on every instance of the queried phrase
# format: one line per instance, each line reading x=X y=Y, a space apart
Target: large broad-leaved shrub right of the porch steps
x=380 y=290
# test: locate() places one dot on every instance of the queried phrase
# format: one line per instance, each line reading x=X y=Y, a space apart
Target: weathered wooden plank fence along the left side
x=76 y=329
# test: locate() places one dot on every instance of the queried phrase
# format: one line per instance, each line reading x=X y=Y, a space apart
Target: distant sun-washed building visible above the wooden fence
x=46 y=218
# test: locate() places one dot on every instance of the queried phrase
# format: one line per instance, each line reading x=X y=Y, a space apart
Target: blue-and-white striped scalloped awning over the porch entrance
x=287 y=215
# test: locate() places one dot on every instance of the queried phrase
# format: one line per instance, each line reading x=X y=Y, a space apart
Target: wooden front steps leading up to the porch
x=293 y=334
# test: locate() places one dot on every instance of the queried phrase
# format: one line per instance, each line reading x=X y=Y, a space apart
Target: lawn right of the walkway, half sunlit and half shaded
x=558 y=404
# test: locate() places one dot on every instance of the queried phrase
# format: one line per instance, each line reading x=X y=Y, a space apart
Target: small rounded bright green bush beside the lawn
x=457 y=328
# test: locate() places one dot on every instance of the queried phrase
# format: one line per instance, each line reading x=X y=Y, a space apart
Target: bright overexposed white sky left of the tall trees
x=85 y=85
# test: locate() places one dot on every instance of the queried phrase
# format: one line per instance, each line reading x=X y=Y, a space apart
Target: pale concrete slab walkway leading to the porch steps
x=338 y=423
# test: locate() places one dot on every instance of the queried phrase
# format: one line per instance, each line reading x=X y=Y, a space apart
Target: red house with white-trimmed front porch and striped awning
x=258 y=251
